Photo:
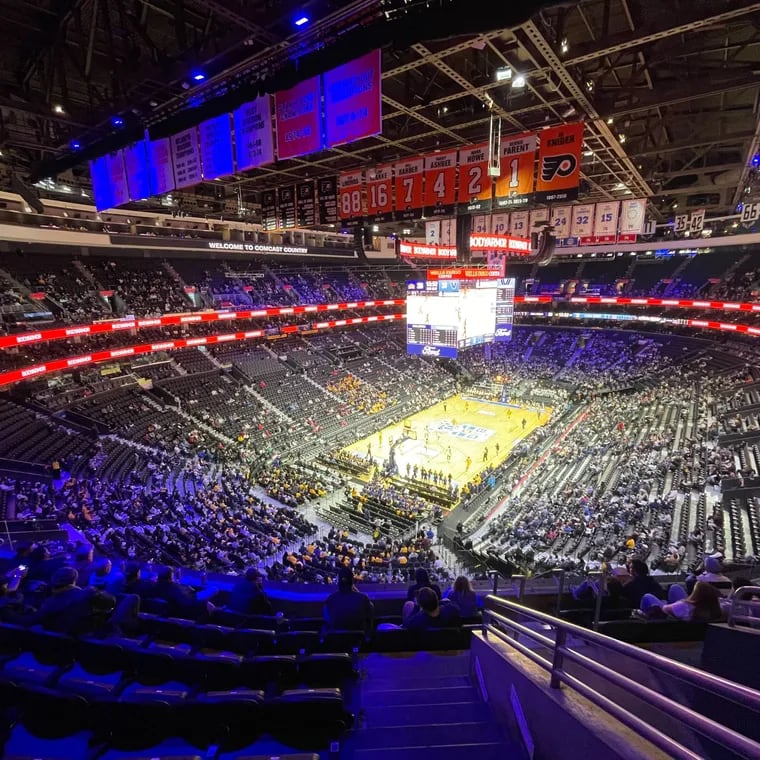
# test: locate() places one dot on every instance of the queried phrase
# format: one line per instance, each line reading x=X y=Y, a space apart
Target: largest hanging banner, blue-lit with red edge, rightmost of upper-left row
x=353 y=100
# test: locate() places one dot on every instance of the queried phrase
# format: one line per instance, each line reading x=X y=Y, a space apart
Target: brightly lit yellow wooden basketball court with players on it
x=460 y=436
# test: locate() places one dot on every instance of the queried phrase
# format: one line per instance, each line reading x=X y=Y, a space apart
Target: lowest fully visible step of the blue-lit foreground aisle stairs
x=427 y=735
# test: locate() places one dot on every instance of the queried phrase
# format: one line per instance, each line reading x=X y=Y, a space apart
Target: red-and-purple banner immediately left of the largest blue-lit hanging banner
x=298 y=112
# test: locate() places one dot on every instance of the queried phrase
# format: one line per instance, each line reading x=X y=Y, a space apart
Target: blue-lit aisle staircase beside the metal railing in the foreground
x=424 y=706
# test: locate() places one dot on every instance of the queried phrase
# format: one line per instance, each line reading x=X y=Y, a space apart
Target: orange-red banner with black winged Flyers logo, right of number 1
x=559 y=163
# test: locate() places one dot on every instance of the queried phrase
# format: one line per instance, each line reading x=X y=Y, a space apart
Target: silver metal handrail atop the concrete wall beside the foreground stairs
x=556 y=650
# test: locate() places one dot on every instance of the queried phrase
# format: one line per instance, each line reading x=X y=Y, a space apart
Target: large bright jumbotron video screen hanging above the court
x=455 y=309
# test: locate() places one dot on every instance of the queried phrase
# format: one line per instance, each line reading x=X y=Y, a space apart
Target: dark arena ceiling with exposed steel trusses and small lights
x=670 y=91
